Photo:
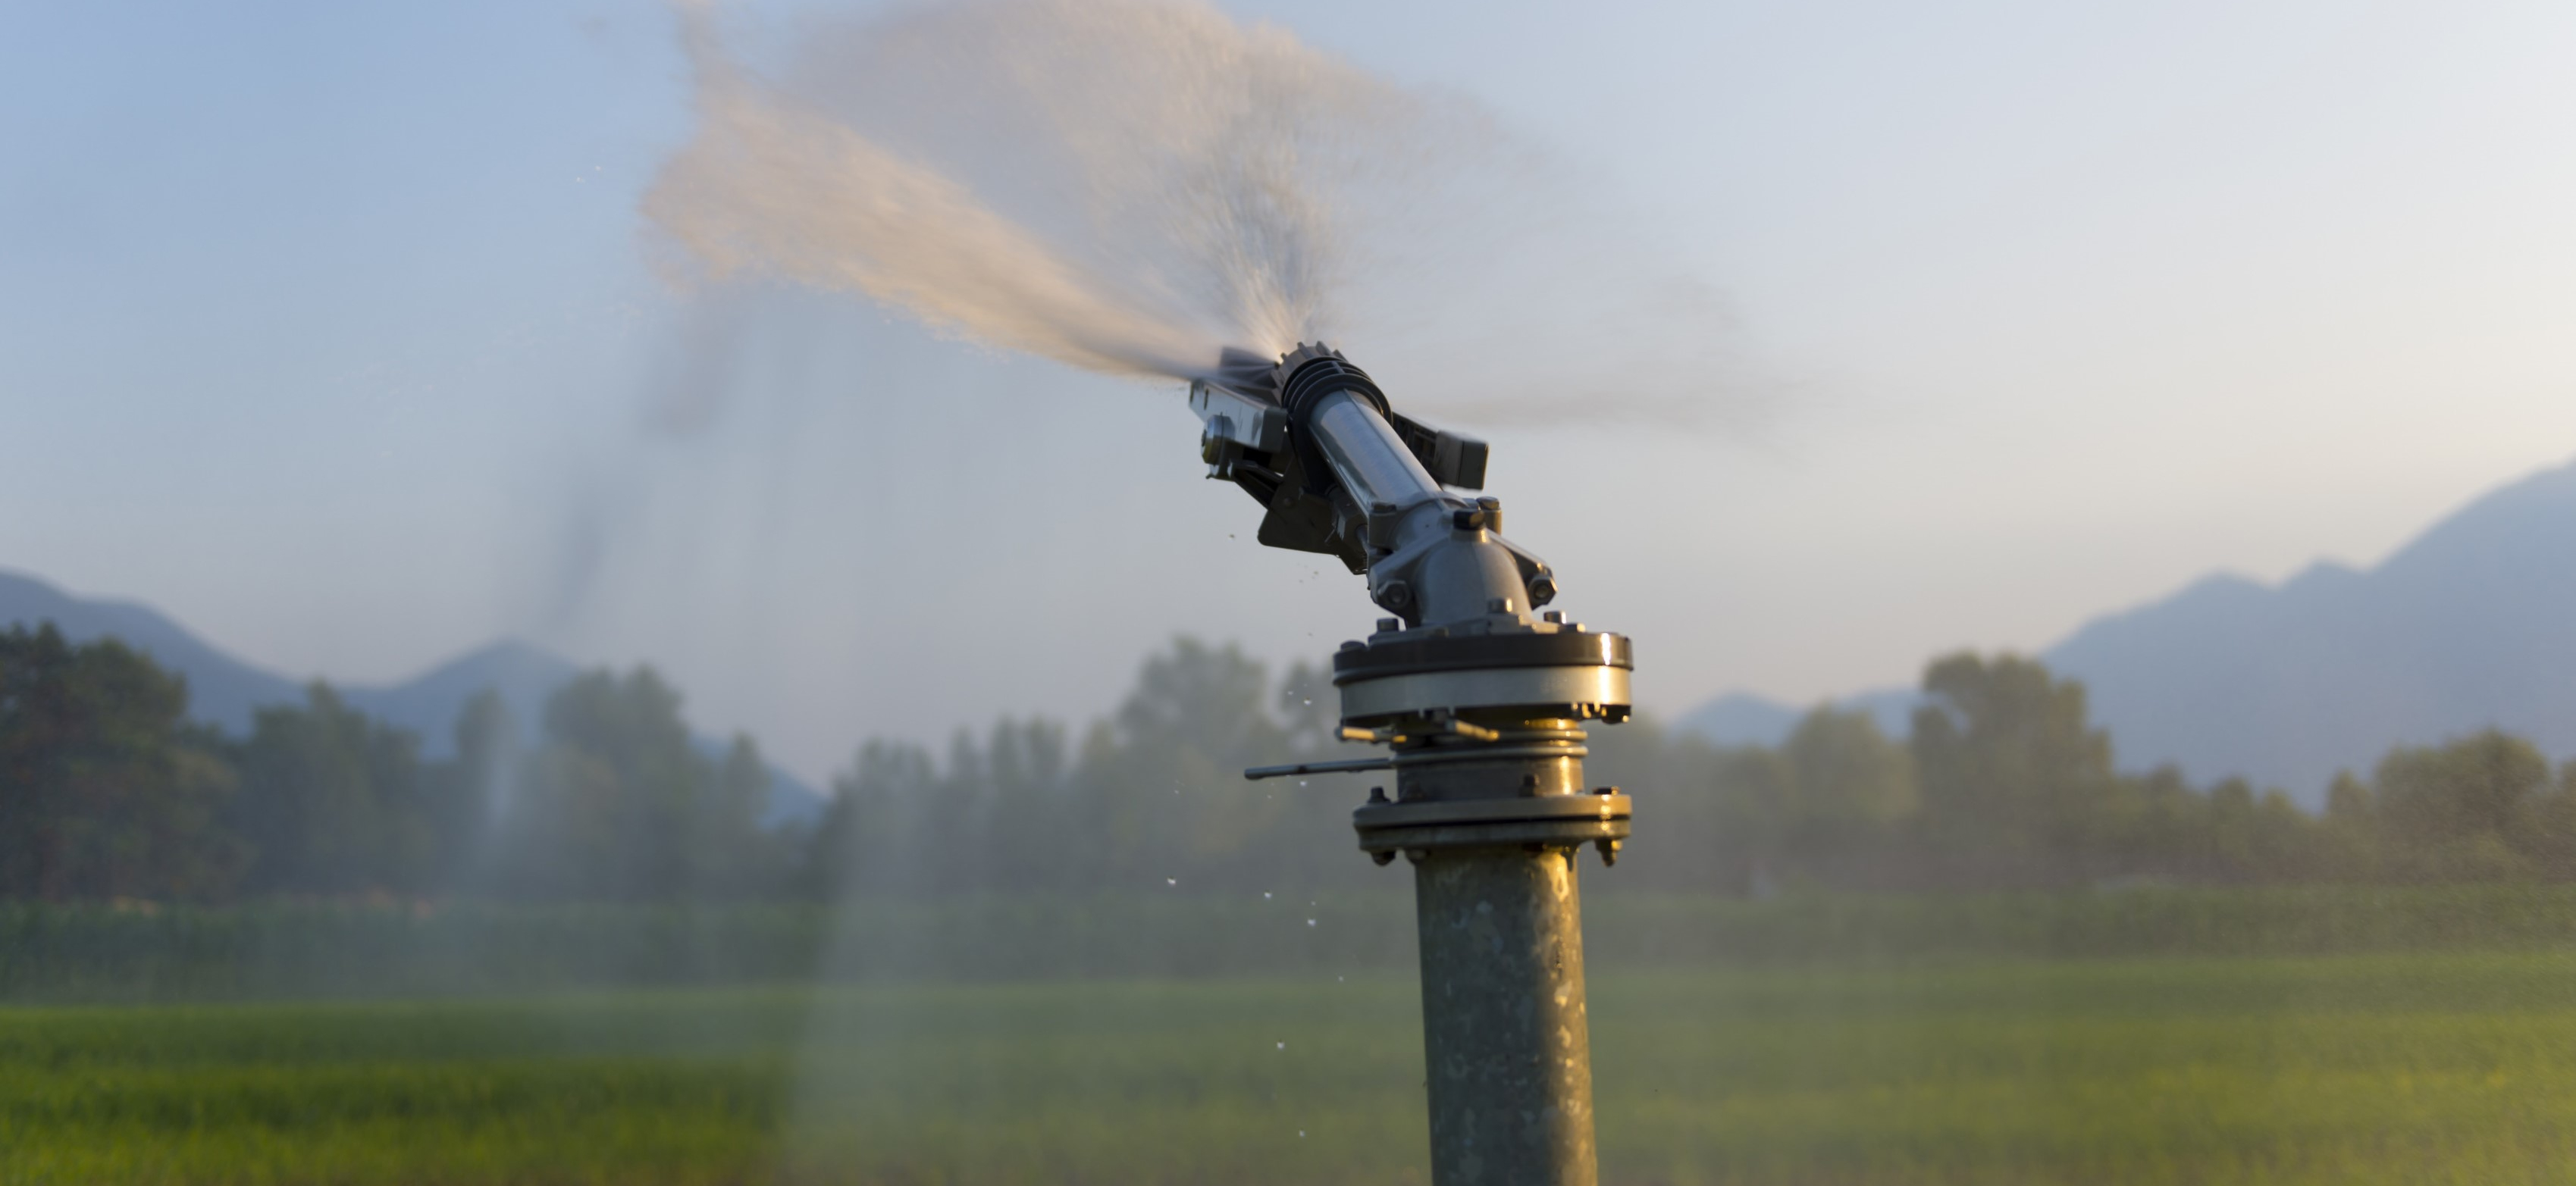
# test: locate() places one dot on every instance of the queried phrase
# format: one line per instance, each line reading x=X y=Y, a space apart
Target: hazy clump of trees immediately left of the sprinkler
x=1150 y=799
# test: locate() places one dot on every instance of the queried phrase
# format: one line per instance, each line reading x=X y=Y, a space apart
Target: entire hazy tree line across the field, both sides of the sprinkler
x=109 y=791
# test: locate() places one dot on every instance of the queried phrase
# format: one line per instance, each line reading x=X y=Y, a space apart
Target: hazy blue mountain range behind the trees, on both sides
x=2467 y=626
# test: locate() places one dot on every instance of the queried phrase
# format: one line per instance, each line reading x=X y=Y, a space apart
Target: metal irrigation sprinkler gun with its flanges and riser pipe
x=1480 y=701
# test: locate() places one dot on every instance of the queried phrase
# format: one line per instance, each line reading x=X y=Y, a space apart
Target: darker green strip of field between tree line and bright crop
x=66 y=953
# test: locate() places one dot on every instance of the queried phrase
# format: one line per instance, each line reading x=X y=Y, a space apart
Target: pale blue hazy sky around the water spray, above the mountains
x=334 y=333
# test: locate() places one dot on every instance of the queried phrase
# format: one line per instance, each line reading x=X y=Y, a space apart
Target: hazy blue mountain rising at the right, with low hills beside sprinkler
x=2469 y=626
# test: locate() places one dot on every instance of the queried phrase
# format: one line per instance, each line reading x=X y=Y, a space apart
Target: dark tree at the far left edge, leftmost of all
x=104 y=789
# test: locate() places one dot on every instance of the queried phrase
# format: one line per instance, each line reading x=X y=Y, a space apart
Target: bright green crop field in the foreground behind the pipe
x=2353 y=1069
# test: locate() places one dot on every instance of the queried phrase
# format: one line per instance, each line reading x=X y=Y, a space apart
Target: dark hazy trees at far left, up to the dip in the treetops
x=109 y=791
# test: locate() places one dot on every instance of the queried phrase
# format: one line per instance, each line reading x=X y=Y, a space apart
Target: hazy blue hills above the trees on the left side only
x=225 y=691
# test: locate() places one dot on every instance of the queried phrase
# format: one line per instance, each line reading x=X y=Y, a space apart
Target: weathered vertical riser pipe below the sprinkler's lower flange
x=1508 y=1048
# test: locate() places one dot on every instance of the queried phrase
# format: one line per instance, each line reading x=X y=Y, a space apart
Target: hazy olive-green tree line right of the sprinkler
x=2005 y=783
